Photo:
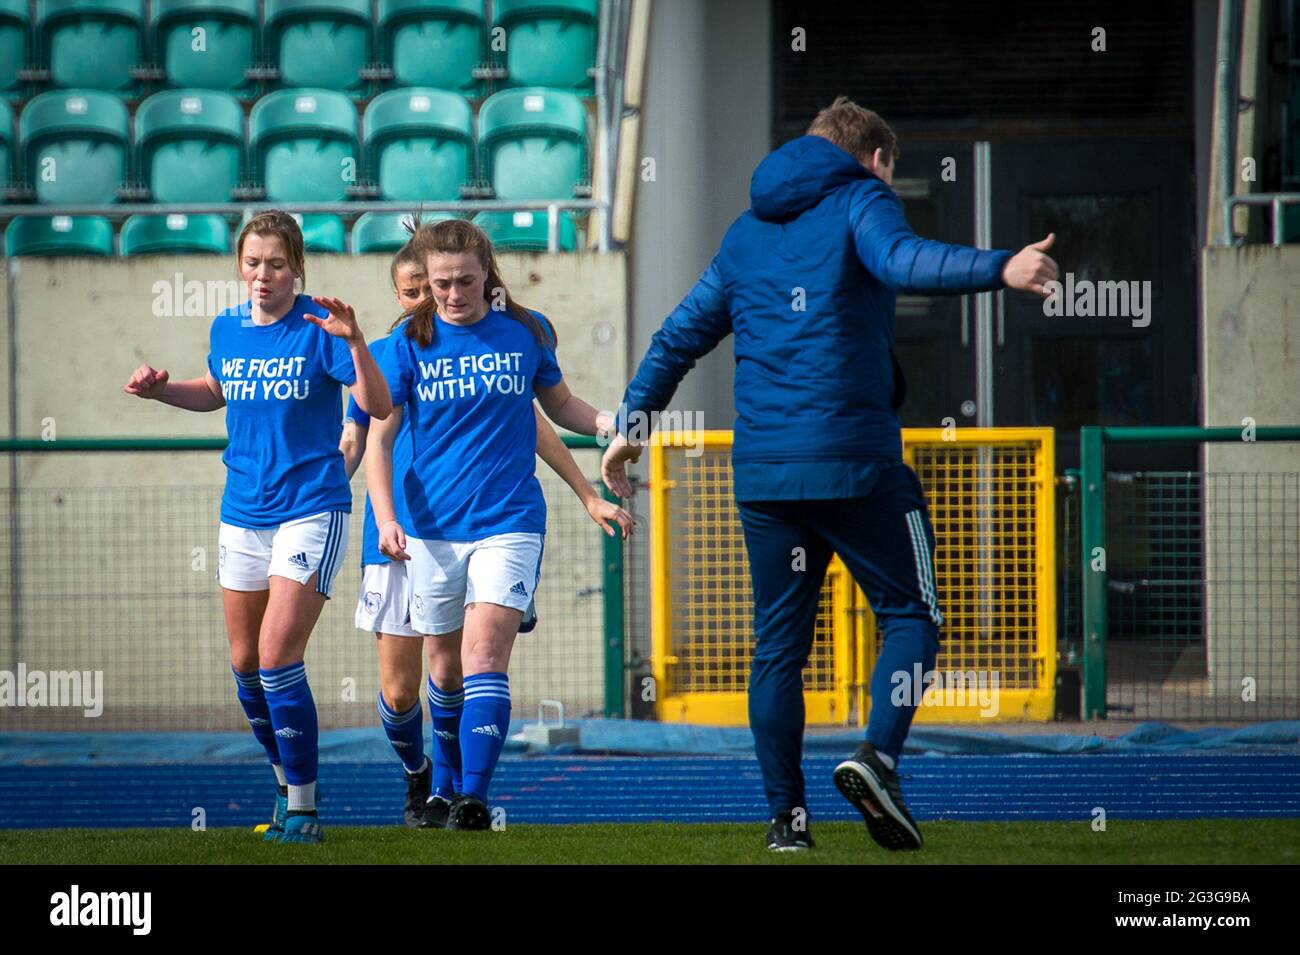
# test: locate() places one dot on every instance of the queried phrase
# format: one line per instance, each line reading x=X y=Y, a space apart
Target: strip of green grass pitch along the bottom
x=1189 y=843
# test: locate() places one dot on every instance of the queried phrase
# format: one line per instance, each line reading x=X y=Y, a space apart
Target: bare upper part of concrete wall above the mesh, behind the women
x=83 y=325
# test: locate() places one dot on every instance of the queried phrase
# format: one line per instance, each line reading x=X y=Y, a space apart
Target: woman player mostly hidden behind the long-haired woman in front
x=384 y=605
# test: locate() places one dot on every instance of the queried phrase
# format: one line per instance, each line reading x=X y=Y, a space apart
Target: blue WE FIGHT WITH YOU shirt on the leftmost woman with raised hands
x=281 y=384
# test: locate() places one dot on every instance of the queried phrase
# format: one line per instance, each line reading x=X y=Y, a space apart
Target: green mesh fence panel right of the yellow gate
x=1198 y=611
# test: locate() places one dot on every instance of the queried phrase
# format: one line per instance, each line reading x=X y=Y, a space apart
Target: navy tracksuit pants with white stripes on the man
x=887 y=542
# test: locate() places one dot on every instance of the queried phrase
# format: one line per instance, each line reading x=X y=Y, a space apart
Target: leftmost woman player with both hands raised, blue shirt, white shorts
x=276 y=363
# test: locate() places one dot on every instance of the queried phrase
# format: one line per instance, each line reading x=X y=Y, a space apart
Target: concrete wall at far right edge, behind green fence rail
x=1251 y=368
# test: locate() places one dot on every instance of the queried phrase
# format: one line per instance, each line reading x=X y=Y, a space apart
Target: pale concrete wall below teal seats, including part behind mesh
x=116 y=552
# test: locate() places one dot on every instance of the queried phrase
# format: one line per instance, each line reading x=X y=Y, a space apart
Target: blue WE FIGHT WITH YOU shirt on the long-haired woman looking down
x=474 y=436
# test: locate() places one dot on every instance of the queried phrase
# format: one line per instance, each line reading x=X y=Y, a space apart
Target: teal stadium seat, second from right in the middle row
x=419 y=144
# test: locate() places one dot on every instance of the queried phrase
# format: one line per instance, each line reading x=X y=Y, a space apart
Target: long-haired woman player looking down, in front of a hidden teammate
x=465 y=371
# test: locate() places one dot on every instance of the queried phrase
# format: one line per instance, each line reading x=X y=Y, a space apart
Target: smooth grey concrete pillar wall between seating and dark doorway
x=707 y=123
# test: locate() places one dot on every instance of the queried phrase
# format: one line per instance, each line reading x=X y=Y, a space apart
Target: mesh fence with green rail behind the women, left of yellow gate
x=120 y=581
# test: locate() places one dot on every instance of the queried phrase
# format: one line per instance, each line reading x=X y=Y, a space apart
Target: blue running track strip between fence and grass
x=679 y=789
